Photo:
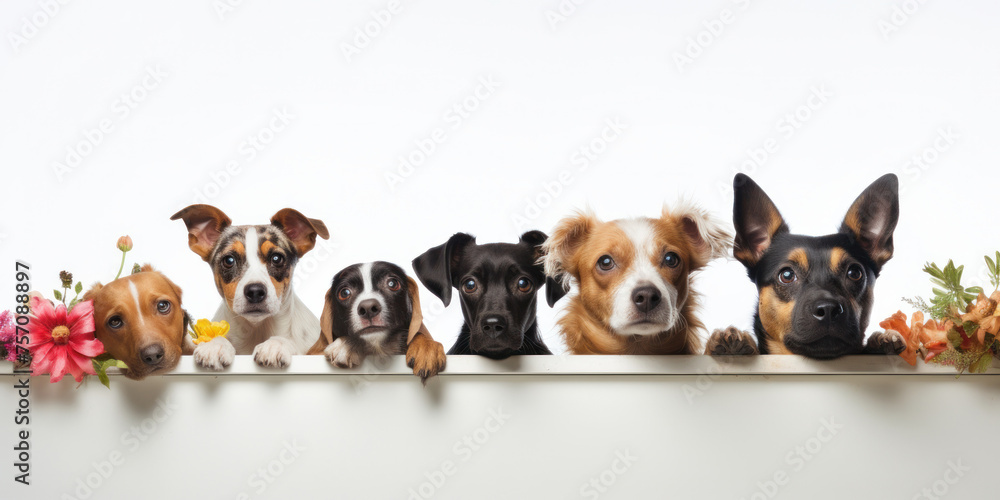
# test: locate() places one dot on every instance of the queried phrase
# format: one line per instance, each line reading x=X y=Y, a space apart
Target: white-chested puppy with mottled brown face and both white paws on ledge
x=253 y=272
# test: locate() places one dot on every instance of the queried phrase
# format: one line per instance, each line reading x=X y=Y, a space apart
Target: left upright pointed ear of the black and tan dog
x=756 y=219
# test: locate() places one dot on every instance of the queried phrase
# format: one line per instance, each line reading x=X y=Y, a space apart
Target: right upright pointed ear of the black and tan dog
x=873 y=217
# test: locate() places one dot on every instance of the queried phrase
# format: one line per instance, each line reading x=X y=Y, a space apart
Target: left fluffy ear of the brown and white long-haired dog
x=558 y=251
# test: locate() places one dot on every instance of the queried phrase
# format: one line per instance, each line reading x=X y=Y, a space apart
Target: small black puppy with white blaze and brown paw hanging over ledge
x=373 y=309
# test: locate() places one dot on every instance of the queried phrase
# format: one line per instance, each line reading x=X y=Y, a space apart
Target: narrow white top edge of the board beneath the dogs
x=590 y=365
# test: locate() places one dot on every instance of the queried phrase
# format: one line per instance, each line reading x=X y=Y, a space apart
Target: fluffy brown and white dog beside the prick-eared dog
x=634 y=280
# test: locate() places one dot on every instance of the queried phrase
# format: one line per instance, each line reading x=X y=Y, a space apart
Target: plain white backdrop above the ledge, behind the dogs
x=689 y=128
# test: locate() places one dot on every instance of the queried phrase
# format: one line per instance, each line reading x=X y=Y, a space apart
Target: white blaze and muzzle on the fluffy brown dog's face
x=642 y=272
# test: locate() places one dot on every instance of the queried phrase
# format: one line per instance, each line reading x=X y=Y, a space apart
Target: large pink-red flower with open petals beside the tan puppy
x=62 y=342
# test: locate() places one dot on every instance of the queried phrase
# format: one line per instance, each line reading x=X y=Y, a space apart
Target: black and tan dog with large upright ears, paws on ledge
x=815 y=292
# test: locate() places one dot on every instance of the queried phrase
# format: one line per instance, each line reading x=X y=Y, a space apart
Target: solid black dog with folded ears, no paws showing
x=499 y=283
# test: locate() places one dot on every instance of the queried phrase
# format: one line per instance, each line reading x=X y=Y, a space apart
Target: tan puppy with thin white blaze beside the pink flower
x=139 y=320
